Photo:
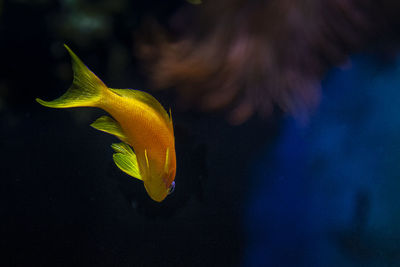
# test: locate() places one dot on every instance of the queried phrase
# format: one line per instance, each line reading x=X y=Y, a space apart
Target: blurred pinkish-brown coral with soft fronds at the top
x=251 y=56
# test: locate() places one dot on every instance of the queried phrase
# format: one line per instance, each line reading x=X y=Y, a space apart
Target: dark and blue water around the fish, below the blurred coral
x=265 y=193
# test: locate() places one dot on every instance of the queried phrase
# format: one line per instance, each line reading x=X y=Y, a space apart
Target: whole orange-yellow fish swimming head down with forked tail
x=147 y=150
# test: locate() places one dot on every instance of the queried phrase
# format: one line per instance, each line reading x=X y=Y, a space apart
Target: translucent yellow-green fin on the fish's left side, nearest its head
x=126 y=160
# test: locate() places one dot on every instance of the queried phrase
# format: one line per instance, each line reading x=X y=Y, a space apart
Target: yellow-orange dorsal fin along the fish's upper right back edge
x=147 y=99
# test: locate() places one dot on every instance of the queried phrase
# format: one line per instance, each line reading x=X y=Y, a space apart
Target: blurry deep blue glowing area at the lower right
x=328 y=193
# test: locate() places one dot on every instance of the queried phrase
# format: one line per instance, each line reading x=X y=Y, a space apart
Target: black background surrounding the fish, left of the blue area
x=63 y=201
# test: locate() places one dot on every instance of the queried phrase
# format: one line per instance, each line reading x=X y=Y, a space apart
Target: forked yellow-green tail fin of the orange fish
x=85 y=91
